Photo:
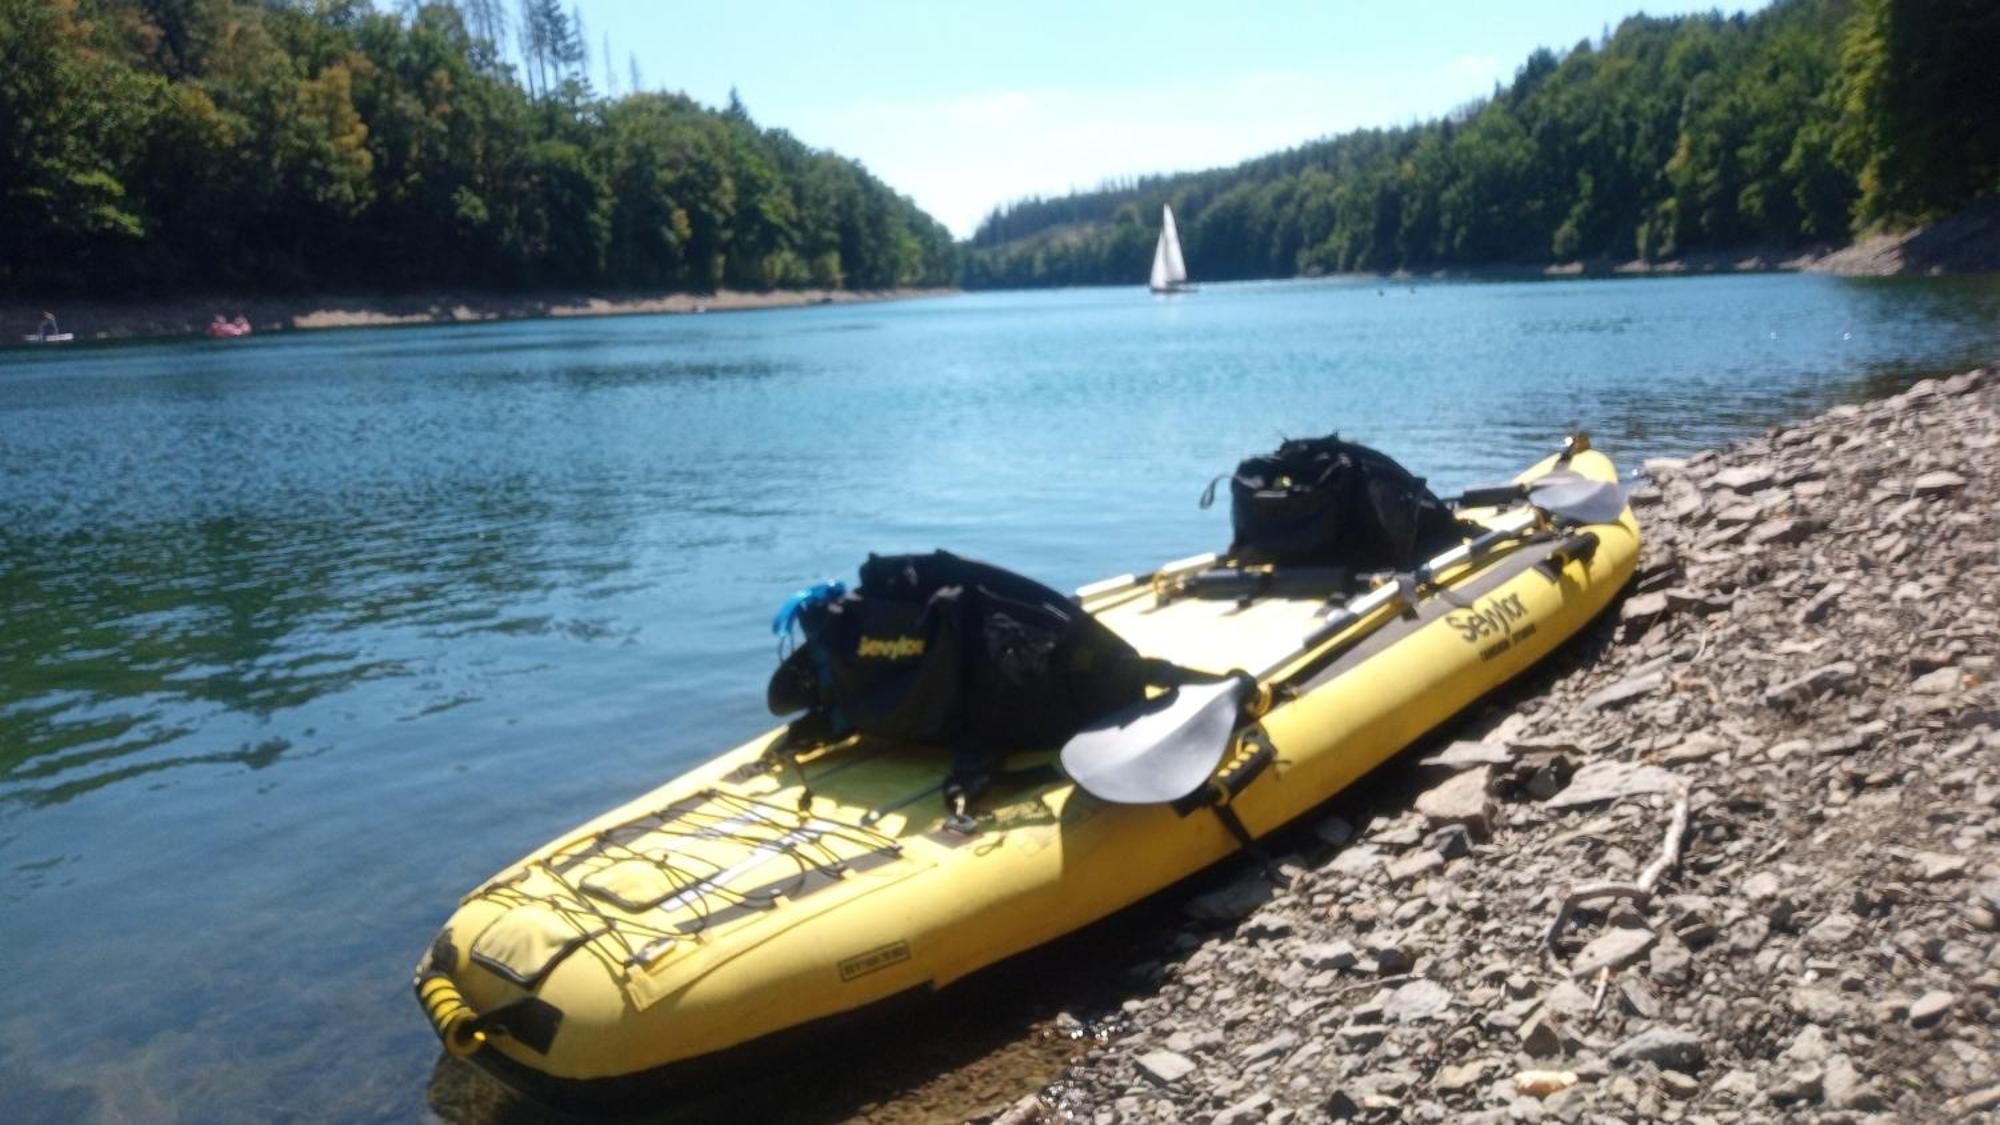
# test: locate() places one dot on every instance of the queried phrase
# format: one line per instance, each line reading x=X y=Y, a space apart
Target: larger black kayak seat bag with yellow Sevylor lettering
x=955 y=654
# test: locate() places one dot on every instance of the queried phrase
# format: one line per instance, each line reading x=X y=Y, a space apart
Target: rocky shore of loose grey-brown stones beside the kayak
x=1769 y=788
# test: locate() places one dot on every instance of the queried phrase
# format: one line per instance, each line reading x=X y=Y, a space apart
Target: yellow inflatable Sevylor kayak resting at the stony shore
x=761 y=898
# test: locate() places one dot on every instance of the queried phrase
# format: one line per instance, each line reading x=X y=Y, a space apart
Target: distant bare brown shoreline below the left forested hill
x=191 y=315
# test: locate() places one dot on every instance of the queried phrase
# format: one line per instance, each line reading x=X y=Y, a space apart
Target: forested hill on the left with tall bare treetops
x=161 y=145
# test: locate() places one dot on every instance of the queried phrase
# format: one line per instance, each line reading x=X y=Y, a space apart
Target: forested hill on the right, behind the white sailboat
x=1675 y=135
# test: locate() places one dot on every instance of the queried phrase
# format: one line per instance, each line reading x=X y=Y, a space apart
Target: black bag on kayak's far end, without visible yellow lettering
x=1335 y=503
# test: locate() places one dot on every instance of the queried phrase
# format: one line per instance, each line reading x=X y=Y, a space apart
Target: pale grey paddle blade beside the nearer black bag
x=1161 y=750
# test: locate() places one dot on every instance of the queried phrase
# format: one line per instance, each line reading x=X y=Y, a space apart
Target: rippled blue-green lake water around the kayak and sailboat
x=305 y=636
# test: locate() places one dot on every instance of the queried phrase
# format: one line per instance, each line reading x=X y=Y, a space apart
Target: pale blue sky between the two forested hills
x=965 y=107
